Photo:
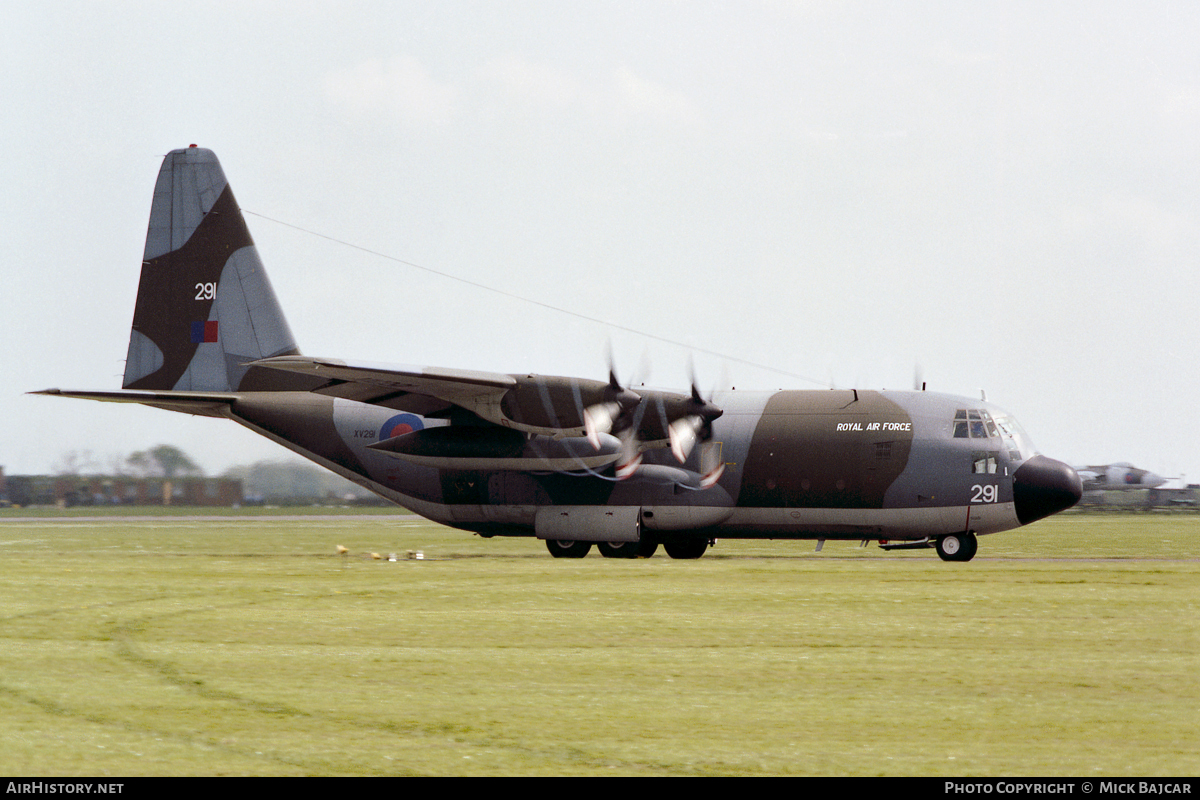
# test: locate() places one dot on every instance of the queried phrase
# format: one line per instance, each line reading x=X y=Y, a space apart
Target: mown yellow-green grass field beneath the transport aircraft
x=249 y=647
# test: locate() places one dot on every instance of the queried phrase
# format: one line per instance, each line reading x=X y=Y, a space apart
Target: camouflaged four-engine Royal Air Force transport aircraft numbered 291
x=571 y=461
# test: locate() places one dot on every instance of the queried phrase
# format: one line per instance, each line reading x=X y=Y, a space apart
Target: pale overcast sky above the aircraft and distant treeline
x=1005 y=196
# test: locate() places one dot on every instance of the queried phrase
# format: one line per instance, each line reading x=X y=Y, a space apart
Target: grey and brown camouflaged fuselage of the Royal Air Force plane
x=831 y=465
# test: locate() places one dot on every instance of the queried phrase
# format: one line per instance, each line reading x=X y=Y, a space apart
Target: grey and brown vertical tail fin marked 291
x=206 y=306
